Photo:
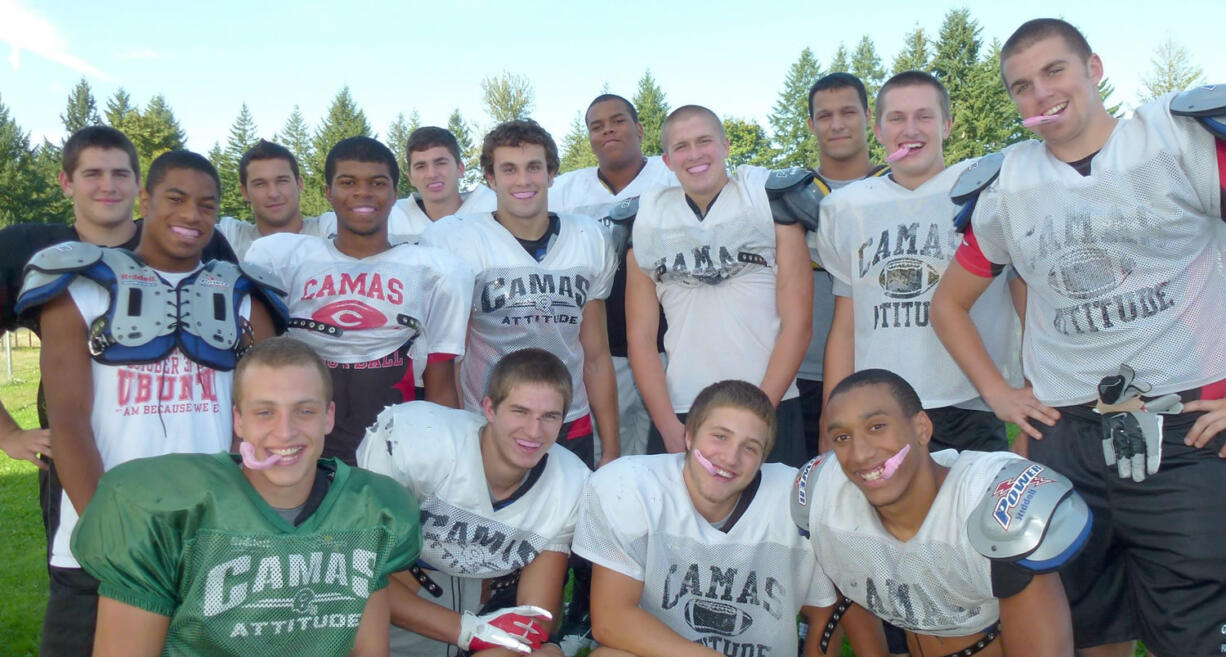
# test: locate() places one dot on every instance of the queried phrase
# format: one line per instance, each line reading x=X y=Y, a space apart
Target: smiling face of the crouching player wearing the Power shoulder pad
x=869 y=428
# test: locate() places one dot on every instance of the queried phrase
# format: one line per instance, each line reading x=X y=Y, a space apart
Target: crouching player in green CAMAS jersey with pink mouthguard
x=276 y=552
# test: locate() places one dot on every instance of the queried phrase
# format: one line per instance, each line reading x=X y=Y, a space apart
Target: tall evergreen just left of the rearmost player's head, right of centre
x=795 y=145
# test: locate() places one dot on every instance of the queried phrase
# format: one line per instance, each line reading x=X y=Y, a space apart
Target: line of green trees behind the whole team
x=985 y=121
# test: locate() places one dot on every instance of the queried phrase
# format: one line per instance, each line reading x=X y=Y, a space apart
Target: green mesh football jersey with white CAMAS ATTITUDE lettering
x=187 y=536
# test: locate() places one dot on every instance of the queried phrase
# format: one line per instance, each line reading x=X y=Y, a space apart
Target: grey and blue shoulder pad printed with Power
x=1032 y=517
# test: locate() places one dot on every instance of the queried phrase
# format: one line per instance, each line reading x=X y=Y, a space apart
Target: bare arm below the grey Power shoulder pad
x=1037 y=621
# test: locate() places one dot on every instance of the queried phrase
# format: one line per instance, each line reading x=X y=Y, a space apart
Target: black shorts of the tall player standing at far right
x=1156 y=564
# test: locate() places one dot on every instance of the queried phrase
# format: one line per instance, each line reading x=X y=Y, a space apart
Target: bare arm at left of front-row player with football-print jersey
x=620 y=623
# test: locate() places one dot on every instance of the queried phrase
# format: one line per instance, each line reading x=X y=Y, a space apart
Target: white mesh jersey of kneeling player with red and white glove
x=465 y=536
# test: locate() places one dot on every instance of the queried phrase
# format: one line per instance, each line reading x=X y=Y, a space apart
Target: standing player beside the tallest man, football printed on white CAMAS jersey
x=887 y=241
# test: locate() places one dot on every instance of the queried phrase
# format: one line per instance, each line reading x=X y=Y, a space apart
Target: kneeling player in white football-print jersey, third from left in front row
x=693 y=553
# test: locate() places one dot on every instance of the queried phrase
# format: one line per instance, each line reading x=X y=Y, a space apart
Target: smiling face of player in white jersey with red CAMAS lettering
x=362 y=196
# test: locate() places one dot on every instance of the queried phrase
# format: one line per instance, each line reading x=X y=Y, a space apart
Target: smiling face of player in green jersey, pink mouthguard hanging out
x=285 y=412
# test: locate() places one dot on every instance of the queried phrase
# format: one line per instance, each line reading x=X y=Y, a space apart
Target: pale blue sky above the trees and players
x=208 y=58
